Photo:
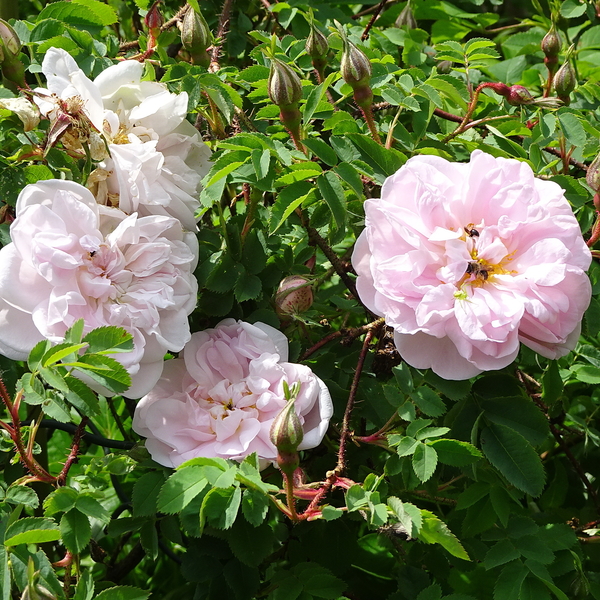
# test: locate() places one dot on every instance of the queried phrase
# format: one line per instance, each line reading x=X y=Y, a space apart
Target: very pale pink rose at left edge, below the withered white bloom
x=72 y=259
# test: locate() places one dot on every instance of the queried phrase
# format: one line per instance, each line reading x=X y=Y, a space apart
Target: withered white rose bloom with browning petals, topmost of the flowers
x=157 y=158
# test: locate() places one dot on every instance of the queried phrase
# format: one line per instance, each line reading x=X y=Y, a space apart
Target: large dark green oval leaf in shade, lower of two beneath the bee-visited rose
x=514 y=457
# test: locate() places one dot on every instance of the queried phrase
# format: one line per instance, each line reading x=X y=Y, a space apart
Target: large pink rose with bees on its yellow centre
x=465 y=261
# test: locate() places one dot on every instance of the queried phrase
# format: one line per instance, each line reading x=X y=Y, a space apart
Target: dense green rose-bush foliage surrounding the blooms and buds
x=458 y=490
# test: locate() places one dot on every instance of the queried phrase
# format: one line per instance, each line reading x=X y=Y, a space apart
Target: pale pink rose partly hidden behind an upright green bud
x=220 y=399
